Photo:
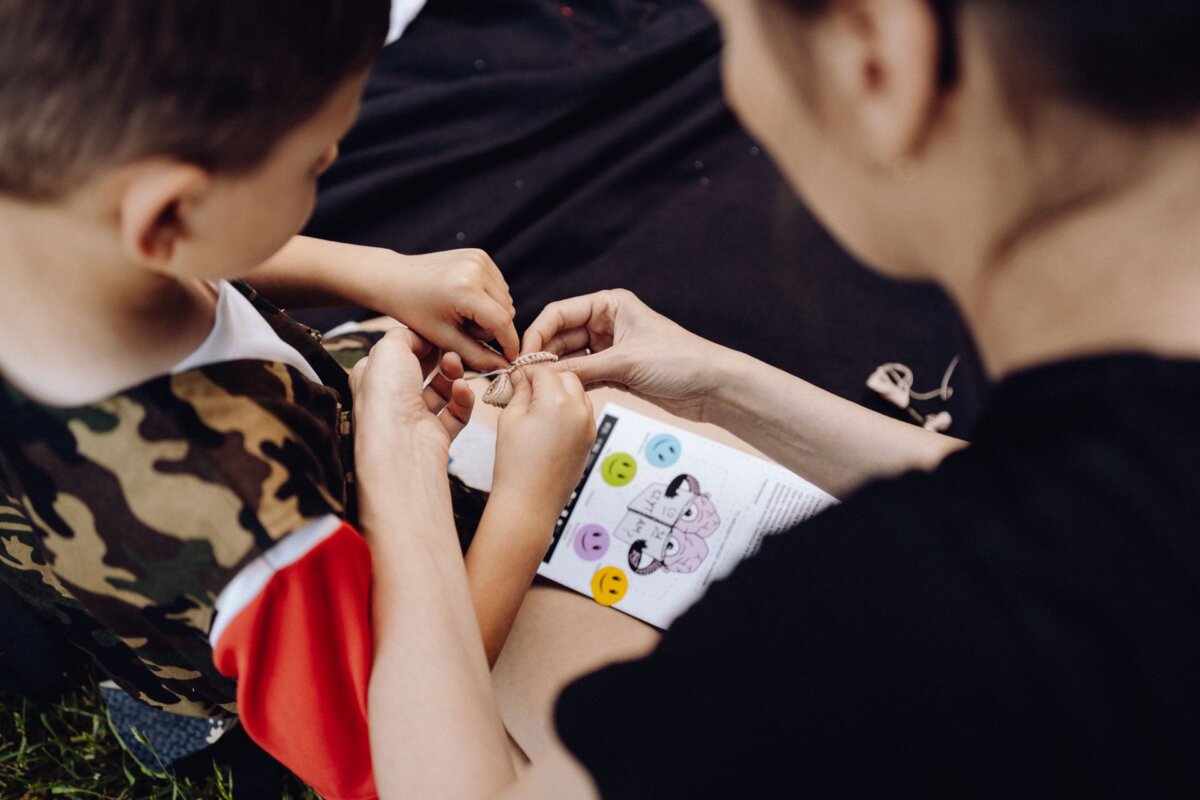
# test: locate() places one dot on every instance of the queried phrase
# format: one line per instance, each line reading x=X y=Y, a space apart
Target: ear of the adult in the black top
x=883 y=58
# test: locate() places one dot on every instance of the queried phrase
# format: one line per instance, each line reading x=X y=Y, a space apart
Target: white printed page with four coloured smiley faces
x=663 y=513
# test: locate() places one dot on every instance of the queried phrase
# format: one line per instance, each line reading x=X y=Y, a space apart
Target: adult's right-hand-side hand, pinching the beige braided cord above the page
x=633 y=348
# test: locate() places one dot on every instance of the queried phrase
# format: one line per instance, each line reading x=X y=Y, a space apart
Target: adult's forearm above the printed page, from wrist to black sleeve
x=837 y=444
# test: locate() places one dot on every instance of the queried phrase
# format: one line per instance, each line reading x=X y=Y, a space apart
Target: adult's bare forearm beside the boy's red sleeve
x=436 y=729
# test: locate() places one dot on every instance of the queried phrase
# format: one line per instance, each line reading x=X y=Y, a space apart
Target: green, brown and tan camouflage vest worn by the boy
x=124 y=520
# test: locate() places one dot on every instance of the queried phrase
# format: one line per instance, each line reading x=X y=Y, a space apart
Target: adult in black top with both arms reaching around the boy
x=1016 y=618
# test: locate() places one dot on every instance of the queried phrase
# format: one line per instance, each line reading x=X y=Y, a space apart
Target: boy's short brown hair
x=88 y=85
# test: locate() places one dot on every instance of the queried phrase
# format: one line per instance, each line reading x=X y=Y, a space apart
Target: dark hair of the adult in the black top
x=1135 y=61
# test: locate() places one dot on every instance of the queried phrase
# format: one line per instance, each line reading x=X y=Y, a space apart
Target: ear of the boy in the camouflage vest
x=155 y=209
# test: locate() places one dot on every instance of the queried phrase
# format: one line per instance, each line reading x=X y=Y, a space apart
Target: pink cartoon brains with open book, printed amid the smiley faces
x=667 y=527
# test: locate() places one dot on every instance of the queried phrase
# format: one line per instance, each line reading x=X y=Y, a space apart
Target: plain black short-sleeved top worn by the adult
x=1024 y=622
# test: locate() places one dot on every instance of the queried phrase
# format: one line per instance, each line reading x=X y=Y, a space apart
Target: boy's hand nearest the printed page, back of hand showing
x=543 y=440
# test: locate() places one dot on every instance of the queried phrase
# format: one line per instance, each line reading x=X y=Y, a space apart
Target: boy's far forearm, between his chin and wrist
x=309 y=273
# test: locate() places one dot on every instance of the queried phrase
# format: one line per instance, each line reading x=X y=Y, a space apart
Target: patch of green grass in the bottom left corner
x=67 y=750
